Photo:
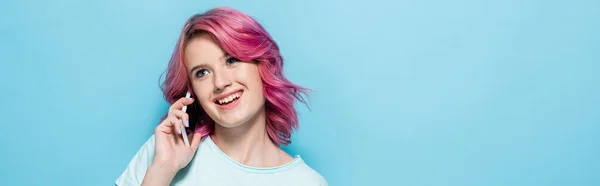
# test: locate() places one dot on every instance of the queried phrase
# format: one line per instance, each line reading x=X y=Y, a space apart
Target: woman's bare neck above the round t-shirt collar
x=249 y=143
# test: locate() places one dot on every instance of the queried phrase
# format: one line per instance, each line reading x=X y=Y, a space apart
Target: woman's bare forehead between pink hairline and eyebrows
x=202 y=49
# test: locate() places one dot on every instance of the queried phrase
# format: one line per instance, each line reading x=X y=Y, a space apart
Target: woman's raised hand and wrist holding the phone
x=171 y=153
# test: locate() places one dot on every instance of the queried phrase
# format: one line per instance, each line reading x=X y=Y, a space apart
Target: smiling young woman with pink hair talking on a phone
x=240 y=113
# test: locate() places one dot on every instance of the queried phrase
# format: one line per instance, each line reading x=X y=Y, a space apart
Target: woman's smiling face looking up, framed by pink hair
x=229 y=90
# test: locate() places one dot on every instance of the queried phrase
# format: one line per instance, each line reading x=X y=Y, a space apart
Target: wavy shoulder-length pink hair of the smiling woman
x=244 y=38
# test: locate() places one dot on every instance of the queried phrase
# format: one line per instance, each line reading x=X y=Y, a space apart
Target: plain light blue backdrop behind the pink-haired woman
x=433 y=92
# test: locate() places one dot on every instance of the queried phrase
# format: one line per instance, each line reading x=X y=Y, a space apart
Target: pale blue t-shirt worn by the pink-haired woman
x=210 y=166
